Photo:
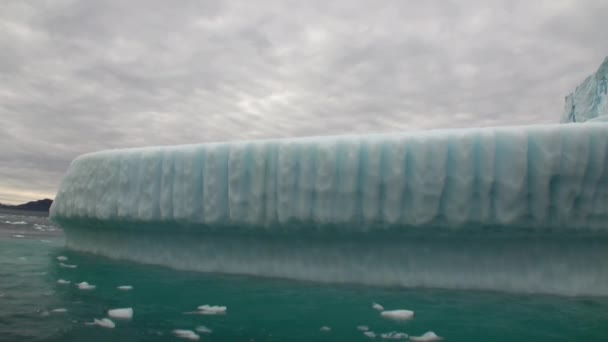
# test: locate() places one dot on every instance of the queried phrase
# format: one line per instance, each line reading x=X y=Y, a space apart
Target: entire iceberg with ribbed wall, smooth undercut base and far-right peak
x=520 y=209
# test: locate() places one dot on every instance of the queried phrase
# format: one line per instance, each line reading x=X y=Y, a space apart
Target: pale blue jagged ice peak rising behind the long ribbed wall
x=590 y=99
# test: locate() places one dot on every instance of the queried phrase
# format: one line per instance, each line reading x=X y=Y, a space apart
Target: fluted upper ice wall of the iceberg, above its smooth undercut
x=545 y=177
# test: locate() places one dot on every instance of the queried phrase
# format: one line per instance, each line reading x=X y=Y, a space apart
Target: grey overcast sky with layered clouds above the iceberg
x=81 y=76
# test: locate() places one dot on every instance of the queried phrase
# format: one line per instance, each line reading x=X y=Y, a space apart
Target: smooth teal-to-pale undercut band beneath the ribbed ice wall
x=564 y=265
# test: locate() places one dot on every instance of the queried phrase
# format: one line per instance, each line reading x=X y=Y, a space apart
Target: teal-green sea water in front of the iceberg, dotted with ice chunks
x=258 y=309
